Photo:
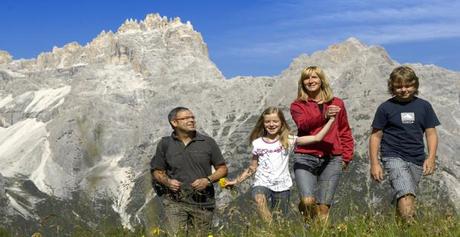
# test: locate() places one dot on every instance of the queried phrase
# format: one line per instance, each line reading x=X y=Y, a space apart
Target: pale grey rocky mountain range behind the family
x=80 y=124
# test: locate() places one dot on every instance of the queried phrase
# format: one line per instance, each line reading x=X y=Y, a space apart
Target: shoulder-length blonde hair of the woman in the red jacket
x=325 y=93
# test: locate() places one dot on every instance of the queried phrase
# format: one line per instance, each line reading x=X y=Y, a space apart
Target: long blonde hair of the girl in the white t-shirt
x=259 y=129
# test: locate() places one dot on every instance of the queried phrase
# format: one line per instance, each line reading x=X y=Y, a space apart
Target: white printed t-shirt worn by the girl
x=273 y=169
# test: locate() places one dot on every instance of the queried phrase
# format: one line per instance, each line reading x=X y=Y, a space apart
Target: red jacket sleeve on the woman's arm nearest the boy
x=346 y=138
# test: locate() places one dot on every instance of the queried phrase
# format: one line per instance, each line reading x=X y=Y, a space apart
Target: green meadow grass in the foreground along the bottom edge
x=428 y=223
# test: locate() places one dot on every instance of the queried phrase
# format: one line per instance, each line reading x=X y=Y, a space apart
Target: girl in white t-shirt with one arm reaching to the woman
x=272 y=143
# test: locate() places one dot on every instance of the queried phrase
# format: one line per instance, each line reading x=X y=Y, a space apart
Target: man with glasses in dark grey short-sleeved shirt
x=182 y=164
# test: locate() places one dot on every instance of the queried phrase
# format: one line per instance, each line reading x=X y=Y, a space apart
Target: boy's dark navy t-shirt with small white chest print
x=403 y=125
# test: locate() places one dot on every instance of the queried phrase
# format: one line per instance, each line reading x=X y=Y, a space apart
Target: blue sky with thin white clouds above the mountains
x=244 y=37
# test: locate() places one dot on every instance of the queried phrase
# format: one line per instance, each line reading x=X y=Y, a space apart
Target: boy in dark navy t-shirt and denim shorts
x=398 y=128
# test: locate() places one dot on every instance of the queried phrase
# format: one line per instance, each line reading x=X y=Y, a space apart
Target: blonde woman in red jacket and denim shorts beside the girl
x=318 y=166
